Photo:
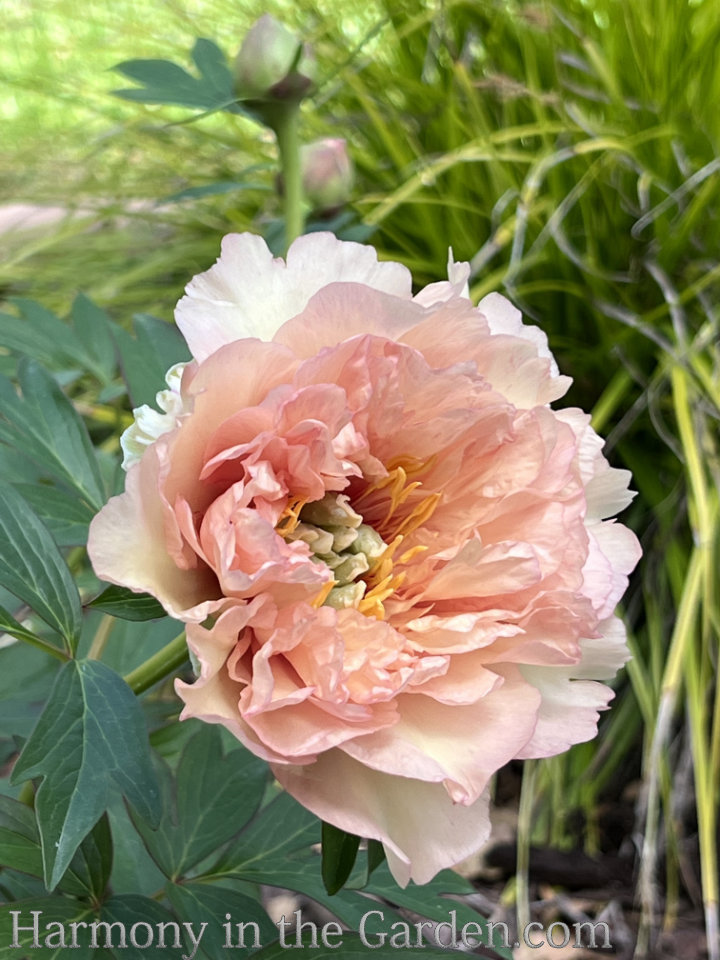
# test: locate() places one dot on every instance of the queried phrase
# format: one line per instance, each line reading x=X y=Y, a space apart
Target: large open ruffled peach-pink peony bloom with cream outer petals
x=395 y=560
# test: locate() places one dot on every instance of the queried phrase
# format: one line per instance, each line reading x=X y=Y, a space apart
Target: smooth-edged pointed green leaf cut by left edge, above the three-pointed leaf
x=32 y=568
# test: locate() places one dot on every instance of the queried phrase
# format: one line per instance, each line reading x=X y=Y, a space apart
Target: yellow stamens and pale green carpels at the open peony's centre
x=362 y=562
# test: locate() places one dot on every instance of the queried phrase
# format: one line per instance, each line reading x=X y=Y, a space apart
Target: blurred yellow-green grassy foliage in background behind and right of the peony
x=569 y=151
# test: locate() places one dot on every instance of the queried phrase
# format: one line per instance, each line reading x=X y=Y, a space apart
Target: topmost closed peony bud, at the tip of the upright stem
x=272 y=64
